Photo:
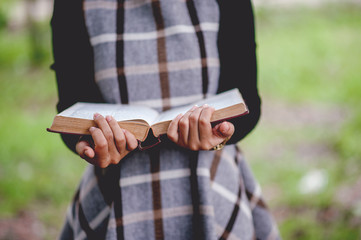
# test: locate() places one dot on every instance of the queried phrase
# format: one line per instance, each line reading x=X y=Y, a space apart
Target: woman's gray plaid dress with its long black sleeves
x=163 y=54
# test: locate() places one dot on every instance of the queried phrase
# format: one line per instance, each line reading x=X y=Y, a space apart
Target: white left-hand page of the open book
x=120 y=112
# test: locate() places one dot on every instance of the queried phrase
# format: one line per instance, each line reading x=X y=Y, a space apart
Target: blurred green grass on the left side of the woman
x=37 y=172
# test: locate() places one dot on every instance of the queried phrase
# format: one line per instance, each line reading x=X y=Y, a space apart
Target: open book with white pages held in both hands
x=78 y=118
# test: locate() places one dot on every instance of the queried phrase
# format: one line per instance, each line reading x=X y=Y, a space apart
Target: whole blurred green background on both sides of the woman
x=305 y=151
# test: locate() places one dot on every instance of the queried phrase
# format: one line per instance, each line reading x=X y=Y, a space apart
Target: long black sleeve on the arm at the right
x=237 y=50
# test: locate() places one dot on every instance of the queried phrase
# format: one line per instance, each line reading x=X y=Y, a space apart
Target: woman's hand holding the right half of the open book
x=193 y=130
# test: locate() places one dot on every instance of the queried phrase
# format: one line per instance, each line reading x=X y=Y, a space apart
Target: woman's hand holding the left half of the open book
x=110 y=143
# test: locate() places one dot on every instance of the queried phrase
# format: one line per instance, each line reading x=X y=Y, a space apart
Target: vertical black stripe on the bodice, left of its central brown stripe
x=123 y=89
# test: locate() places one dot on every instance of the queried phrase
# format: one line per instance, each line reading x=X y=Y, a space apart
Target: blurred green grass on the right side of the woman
x=309 y=72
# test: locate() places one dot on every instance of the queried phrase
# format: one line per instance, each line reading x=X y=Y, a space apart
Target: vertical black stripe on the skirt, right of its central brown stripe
x=196 y=219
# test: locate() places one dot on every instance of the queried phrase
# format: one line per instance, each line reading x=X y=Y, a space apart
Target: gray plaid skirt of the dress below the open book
x=168 y=193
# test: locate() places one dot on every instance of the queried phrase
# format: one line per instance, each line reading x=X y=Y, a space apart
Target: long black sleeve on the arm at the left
x=73 y=59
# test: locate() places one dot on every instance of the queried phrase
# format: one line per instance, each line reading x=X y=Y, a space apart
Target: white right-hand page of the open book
x=218 y=101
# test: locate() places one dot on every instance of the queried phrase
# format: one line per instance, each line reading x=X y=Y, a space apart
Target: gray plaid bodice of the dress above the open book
x=149 y=45
